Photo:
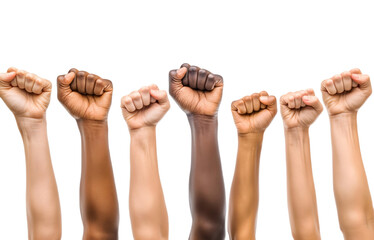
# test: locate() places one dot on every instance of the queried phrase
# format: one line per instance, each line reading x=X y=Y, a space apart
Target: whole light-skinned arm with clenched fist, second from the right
x=299 y=110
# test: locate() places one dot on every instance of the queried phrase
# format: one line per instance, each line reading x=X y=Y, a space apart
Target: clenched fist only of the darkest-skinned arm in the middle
x=197 y=91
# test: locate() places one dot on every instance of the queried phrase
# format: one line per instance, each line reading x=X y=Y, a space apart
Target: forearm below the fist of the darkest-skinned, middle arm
x=207 y=192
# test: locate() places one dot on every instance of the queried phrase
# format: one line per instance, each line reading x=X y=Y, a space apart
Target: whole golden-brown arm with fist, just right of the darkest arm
x=252 y=115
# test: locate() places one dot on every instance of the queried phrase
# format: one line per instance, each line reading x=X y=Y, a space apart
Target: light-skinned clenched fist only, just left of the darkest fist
x=145 y=107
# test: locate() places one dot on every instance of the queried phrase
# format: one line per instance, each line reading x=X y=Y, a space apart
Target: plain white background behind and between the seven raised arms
x=277 y=46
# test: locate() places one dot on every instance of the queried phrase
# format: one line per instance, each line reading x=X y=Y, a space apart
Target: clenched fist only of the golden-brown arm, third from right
x=254 y=113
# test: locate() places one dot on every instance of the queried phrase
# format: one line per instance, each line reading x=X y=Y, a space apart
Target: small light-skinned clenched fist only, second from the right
x=300 y=109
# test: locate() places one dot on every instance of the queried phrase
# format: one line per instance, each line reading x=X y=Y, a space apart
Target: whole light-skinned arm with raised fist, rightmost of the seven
x=343 y=95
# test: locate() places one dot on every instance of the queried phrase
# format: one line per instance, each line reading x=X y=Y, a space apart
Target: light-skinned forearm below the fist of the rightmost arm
x=351 y=188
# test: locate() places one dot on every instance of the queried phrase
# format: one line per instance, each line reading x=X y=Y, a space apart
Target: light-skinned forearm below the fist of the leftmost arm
x=41 y=188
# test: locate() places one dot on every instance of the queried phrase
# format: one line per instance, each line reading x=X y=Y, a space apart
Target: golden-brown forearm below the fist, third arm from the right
x=245 y=190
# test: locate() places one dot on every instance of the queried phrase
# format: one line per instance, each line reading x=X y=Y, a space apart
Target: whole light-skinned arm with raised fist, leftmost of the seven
x=28 y=96
